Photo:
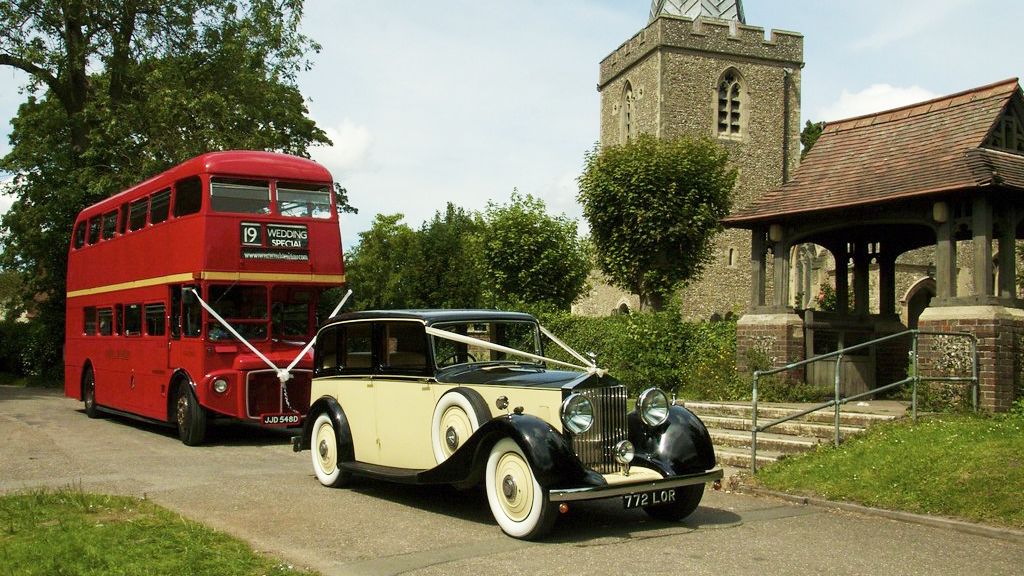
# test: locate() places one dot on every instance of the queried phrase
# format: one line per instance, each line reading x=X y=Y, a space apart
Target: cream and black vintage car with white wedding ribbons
x=460 y=397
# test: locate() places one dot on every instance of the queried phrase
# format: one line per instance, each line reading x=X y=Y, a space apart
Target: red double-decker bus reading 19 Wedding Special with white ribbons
x=189 y=295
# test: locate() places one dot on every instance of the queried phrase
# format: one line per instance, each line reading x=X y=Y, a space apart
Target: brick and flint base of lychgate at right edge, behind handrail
x=1000 y=332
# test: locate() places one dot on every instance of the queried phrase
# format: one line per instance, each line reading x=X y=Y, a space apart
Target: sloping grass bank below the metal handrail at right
x=966 y=467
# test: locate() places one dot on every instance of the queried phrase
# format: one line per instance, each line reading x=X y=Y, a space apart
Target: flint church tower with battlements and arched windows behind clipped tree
x=698 y=70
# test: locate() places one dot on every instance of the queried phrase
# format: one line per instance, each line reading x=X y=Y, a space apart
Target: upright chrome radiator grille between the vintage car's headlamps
x=596 y=447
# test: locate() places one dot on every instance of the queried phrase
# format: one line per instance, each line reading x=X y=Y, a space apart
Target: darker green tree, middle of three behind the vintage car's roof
x=448 y=271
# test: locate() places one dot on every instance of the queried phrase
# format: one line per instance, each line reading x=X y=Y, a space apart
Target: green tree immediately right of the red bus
x=379 y=269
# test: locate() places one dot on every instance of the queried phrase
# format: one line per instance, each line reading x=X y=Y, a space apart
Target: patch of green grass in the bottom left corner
x=70 y=532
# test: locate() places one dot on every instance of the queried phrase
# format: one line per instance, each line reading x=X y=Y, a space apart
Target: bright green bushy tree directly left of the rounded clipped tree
x=532 y=258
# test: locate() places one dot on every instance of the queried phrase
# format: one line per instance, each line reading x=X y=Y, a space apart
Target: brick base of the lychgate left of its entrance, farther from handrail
x=779 y=339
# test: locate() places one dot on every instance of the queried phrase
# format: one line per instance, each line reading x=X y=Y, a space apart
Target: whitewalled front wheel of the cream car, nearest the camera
x=518 y=502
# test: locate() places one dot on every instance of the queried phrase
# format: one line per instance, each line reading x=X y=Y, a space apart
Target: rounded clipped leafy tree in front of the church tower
x=654 y=209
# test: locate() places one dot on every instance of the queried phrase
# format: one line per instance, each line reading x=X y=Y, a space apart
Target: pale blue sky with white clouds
x=464 y=101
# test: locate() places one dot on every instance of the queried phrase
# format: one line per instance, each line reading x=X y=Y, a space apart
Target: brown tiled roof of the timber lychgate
x=923 y=149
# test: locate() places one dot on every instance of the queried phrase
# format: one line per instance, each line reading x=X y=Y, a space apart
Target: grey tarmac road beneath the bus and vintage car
x=249 y=483
